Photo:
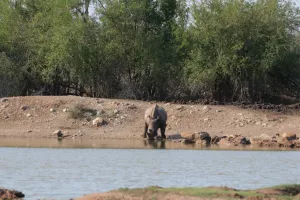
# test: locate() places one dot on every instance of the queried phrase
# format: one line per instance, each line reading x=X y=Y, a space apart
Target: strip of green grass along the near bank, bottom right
x=287 y=192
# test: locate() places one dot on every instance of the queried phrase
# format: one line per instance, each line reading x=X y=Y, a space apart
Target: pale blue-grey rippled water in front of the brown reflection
x=64 y=173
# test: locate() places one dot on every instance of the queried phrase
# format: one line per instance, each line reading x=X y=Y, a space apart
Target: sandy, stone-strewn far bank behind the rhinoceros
x=40 y=116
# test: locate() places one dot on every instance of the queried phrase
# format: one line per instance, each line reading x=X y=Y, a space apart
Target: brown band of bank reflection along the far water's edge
x=116 y=144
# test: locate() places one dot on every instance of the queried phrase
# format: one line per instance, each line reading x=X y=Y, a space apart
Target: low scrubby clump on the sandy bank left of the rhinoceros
x=79 y=111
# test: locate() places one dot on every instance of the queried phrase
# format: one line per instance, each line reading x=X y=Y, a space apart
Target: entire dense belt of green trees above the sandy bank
x=224 y=50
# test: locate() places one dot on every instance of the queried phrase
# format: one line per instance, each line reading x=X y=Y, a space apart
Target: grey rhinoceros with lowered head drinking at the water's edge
x=155 y=118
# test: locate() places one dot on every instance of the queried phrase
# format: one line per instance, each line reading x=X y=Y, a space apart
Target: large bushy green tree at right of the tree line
x=243 y=50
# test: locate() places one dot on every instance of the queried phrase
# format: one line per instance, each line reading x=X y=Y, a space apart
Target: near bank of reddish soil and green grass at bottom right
x=158 y=193
